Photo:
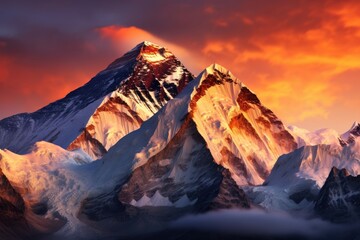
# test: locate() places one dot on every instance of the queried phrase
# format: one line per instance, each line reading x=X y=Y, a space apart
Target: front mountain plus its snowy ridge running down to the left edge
x=190 y=157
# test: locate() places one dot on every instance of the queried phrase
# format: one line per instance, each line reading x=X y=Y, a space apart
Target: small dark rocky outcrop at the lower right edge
x=338 y=199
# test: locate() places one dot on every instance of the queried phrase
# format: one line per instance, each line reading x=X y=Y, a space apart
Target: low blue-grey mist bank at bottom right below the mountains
x=259 y=224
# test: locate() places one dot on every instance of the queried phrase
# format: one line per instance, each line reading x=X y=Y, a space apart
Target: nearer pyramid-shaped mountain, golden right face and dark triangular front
x=195 y=152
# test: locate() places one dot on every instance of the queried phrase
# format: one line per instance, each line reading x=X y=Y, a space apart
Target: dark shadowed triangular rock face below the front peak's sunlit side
x=183 y=174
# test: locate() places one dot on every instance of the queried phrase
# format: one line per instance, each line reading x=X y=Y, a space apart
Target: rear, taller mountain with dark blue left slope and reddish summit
x=112 y=104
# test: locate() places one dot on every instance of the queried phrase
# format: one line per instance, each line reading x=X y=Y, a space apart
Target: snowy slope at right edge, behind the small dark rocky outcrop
x=306 y=169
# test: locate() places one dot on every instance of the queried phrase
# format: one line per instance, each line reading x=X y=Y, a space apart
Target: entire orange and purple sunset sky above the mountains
x=301 y=57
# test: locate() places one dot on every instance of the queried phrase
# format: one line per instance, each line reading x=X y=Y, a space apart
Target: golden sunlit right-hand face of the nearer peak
x=242 y=135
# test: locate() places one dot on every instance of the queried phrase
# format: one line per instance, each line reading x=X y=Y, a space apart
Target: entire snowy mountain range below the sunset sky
x=145 y=143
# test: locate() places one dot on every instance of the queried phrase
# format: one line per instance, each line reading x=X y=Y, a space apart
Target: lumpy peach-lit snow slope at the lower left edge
x=49 y=181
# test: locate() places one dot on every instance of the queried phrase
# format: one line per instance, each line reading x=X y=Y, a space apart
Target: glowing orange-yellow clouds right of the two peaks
x=306 y=50
